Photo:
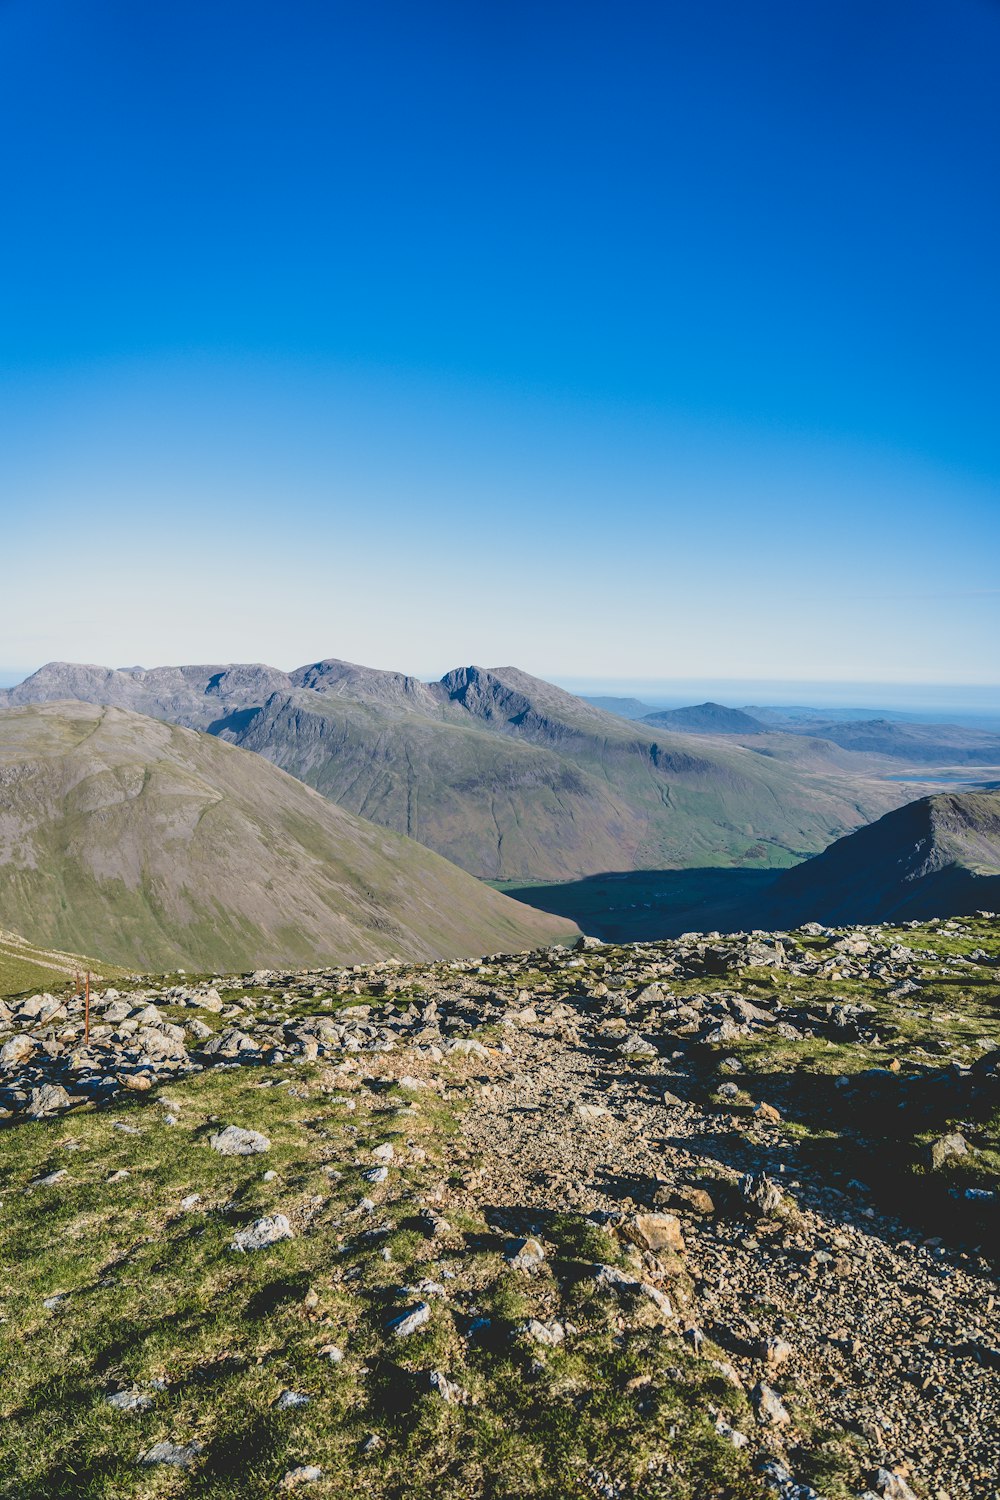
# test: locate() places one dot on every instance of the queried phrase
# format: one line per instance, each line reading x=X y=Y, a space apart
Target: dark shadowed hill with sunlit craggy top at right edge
x=936 y=857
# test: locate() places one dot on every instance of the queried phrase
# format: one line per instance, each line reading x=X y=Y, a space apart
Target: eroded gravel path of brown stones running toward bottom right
x=893 y=1342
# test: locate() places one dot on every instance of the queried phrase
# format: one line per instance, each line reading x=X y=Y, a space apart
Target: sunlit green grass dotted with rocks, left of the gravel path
x=145 y=1294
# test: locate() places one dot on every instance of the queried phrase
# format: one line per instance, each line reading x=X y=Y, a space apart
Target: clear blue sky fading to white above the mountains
x=618 y=341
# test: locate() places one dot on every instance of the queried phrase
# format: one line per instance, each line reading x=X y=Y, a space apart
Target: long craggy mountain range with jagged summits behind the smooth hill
x=504 y=775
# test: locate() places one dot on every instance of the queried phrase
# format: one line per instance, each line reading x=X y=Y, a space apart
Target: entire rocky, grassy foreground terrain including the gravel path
x=699 y=1219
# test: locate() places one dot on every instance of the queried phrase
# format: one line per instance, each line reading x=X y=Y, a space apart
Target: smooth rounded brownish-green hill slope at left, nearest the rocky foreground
x=157 y=847
